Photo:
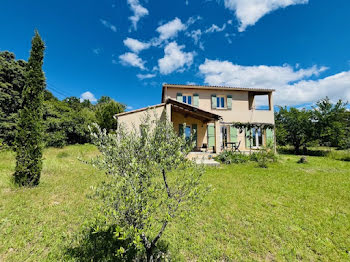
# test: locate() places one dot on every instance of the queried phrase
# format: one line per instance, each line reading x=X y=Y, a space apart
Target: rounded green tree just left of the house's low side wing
x=105 y=113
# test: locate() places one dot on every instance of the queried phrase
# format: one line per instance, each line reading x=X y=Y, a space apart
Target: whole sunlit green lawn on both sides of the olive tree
x=286 y=212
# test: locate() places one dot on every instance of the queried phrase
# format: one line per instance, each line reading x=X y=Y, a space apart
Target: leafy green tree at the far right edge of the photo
x=330 y=122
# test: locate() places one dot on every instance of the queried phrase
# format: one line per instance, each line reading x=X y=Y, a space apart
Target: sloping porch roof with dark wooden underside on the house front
x=192 y=111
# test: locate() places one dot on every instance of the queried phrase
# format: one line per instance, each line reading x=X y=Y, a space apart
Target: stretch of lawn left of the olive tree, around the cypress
x=35 y=222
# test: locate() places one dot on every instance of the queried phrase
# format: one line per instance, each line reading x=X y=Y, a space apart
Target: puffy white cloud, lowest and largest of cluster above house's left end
x=174 y=59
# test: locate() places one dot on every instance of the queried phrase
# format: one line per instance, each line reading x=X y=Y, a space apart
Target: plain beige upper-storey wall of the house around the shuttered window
x=240 y=105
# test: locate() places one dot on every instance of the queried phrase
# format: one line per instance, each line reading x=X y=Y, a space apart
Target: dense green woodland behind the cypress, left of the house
x=66 y=122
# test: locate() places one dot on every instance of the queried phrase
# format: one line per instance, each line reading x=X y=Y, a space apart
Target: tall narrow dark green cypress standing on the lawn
x=29 y=144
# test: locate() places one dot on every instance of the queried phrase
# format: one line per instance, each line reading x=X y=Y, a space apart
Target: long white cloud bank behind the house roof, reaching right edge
x=293 y=86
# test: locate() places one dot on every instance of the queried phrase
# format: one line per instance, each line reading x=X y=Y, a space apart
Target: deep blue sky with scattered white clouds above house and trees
x=126 y=49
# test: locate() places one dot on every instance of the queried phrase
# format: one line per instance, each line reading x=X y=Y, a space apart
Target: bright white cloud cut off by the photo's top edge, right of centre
x=248 y=12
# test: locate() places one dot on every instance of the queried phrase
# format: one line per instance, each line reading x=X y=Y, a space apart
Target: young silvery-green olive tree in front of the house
x=151 y=182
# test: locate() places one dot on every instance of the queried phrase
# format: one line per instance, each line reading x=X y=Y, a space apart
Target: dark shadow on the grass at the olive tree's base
x=103 y=245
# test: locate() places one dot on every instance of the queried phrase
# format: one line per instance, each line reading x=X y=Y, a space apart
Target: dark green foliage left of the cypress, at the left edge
x=11 y=85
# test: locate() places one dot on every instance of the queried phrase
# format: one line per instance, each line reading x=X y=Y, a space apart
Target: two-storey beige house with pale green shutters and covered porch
x=220 y=117
